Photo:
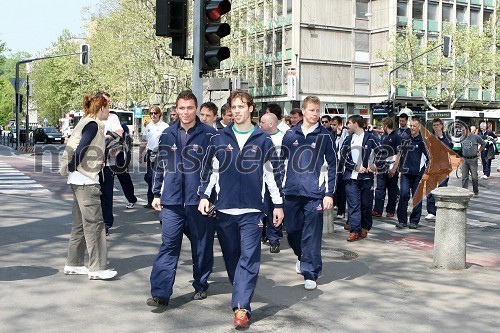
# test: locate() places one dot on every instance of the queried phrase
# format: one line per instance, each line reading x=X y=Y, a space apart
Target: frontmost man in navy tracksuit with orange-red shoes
x=240 y=163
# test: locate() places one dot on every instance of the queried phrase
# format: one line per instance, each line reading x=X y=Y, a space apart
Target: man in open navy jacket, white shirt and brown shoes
x=360 y=157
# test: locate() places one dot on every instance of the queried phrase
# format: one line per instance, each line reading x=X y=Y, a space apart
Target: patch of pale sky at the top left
x=34 y=25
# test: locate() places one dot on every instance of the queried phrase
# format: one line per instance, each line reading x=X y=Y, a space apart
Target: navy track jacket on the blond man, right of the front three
x=306 y=156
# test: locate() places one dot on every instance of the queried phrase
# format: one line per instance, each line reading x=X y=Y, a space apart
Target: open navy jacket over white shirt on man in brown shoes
x=371 y=145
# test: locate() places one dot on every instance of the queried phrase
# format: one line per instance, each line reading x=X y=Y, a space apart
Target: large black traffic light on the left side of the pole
x=171 y=21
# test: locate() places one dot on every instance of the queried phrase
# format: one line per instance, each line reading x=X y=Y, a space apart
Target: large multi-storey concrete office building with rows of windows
x=330 y=48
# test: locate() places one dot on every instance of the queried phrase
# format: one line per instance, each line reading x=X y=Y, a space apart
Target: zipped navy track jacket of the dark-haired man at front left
x=177 y=170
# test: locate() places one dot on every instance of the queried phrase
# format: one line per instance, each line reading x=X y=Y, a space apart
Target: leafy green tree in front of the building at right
x=439 y=80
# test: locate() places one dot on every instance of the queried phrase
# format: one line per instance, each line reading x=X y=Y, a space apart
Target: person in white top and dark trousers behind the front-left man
x=150 y=139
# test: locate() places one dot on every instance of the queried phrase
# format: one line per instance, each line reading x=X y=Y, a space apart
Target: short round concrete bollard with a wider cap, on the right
x=450 y=230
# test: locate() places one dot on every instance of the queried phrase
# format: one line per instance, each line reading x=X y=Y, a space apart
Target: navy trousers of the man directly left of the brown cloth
x=409 y=183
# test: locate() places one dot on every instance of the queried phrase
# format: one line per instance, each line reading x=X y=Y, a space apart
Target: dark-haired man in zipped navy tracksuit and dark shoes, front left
x=175 y=188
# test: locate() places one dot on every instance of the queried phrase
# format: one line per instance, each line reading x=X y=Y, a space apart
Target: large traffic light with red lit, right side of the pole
x=212 y=32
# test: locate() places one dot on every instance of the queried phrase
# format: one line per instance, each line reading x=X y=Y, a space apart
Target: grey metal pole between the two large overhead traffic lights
x=197 y=50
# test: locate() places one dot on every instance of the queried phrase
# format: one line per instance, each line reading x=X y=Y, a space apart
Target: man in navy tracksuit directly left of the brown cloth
x=412 y=164
